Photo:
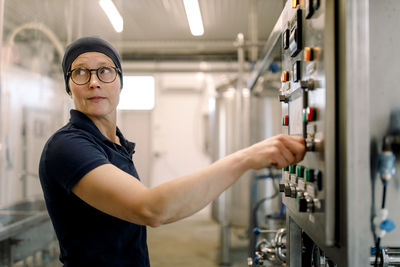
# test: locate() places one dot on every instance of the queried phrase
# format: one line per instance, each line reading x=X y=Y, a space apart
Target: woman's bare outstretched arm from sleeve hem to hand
x=117 y=193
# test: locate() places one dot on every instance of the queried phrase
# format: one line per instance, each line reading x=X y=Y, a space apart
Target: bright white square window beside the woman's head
x=137 y=94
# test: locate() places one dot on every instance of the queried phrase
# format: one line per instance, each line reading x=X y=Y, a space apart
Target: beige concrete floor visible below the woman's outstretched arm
x=193 y=242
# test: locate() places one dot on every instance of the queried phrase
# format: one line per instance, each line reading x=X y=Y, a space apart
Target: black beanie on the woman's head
x=89 y=44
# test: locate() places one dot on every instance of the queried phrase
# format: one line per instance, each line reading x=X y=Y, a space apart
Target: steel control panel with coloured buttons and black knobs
x=308 y=107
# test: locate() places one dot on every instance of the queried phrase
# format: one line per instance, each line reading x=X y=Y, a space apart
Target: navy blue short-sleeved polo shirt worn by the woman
x=87 y=236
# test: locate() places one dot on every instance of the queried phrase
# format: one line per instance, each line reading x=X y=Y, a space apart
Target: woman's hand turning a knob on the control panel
x=278 y=151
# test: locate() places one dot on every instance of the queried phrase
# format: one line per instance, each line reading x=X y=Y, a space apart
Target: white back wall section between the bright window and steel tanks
x=177 y=126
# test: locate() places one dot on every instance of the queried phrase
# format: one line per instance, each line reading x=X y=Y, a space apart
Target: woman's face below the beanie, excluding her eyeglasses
x=95 y=98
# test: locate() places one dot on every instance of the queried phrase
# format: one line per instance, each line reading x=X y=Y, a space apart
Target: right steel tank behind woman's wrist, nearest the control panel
x=266 y=205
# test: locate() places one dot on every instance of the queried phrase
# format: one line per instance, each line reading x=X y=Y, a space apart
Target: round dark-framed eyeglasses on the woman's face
x=82 y=76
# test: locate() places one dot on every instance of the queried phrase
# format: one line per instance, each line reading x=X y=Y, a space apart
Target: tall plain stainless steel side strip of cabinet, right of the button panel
x=354 y=127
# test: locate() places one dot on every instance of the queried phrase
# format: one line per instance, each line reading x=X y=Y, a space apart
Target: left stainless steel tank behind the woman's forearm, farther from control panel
x=230 y=132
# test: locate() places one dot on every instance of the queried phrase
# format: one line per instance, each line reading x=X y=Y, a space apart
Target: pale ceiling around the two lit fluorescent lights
x=153 y=29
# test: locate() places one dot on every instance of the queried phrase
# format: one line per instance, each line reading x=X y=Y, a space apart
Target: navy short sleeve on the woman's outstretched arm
x=69 y=156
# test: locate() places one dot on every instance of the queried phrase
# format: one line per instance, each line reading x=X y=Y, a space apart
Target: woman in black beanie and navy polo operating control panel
x=96 y=202
